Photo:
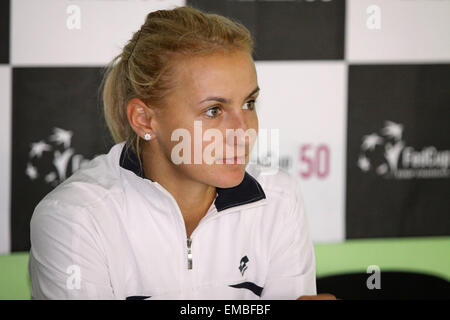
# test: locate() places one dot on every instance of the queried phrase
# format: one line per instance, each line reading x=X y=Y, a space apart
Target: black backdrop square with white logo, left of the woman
x=52 y=136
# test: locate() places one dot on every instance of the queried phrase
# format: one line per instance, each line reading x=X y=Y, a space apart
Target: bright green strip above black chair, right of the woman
x=429 y=255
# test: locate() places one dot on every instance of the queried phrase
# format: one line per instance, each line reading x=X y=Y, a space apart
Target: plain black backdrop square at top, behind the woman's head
x=288 y=30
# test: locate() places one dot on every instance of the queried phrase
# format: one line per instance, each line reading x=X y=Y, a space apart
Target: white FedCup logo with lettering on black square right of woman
x=388 y=155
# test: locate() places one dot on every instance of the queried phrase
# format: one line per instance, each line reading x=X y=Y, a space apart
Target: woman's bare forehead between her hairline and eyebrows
x=224 y=74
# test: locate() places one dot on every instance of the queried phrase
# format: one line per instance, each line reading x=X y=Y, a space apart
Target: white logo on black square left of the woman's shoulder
x=57 y=150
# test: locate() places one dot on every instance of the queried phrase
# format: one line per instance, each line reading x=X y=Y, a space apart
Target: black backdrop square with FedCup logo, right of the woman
x=398 y=151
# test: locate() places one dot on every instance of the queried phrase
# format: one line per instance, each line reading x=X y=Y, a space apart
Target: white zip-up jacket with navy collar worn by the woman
x=107 y=232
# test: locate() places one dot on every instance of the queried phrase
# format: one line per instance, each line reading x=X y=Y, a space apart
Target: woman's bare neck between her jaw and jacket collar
x=193 y=197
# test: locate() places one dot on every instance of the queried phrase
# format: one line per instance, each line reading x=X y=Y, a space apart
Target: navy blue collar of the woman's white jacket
x=248 y=191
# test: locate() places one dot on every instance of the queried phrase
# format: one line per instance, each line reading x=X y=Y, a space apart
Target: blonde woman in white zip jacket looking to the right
x=138 y=223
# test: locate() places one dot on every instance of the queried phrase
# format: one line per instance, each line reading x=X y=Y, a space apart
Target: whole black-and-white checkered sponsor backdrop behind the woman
x=357 y=92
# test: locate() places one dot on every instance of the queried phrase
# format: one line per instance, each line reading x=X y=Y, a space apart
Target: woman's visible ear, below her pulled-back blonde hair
x=140 y=117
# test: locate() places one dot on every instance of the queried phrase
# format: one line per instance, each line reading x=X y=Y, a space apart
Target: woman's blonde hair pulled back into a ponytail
x=144 y=69
